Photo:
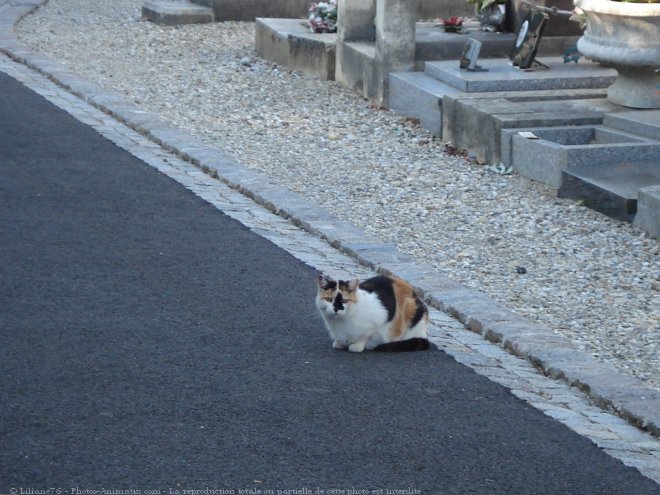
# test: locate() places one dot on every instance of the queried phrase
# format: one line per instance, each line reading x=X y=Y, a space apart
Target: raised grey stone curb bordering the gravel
x=554 y=355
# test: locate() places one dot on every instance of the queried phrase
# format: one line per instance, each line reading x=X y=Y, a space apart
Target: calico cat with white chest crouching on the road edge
x=381 y=313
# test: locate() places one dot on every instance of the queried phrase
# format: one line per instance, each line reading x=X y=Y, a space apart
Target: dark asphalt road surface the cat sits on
x=149 y=342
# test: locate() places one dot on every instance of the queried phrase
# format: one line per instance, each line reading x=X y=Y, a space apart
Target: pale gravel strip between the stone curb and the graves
x=592 y=279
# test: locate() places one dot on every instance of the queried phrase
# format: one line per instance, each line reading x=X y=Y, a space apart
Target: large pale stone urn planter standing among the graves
x=625 y=36
